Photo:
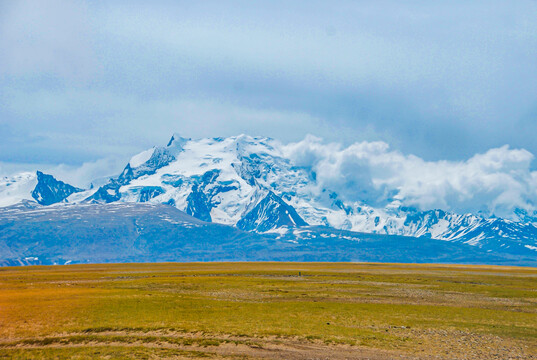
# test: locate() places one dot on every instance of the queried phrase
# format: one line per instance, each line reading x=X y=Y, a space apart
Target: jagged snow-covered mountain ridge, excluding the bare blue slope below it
x=250 y=183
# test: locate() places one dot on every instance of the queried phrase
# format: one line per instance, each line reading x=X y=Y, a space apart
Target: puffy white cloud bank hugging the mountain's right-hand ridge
x=492 y=183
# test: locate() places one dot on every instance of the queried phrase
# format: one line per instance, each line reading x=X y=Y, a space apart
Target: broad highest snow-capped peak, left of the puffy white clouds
x=234 y=181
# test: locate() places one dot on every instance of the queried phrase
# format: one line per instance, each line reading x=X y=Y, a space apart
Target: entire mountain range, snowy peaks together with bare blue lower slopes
x=250 y=187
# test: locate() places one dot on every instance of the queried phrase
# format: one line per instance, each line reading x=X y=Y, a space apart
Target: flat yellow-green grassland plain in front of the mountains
x=268 y=310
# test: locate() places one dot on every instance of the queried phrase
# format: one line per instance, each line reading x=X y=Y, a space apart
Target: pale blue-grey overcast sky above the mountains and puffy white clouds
x=100 y=81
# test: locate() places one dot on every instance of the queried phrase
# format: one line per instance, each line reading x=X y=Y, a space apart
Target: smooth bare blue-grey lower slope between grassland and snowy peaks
x=133 y=232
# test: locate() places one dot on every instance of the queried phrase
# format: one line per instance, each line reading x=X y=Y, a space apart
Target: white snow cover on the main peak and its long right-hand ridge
x=223 y=179
